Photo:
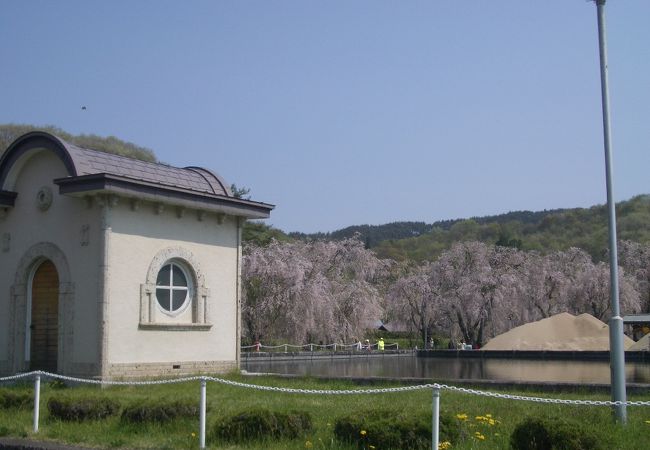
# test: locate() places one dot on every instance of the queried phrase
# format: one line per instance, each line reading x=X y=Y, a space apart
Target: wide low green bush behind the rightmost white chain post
x=393 y=429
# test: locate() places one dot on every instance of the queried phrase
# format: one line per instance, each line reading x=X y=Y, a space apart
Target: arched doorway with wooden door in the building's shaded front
x=44 y=318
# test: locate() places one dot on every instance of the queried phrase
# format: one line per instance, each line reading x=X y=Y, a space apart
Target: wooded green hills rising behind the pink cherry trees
x=543 y=231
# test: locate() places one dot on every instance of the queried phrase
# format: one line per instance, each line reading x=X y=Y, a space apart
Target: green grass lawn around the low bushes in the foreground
x=325 y=409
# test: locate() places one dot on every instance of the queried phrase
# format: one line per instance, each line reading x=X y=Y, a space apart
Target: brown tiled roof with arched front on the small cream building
x=91 y=170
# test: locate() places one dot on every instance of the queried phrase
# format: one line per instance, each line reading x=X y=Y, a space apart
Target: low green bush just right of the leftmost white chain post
x=82 y=408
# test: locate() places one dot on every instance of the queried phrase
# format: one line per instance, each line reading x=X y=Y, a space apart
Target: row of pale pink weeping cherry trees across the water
x=299 y=291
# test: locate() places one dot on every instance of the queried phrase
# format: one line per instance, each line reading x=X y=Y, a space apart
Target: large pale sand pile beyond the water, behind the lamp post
x=563 y=331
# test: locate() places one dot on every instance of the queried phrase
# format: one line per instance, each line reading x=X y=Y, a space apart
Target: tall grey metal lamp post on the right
x=617 y=351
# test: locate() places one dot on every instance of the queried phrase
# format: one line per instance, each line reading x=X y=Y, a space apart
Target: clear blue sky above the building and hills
x=348 y=112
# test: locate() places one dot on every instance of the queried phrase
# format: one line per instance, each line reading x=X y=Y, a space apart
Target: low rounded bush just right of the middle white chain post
x=260 y=424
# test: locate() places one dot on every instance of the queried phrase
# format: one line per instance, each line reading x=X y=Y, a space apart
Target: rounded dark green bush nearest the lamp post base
x=536 y=433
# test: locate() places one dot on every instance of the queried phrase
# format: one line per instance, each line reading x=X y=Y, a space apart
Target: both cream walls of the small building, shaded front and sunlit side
x=134 y=237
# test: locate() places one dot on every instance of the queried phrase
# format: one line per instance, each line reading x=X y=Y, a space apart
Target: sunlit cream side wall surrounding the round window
x=136 y=238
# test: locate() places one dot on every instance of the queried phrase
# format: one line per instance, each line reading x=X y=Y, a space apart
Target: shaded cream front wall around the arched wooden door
x=61 y=226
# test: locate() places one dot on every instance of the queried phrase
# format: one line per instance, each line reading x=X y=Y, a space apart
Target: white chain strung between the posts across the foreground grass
x=332 y=391
